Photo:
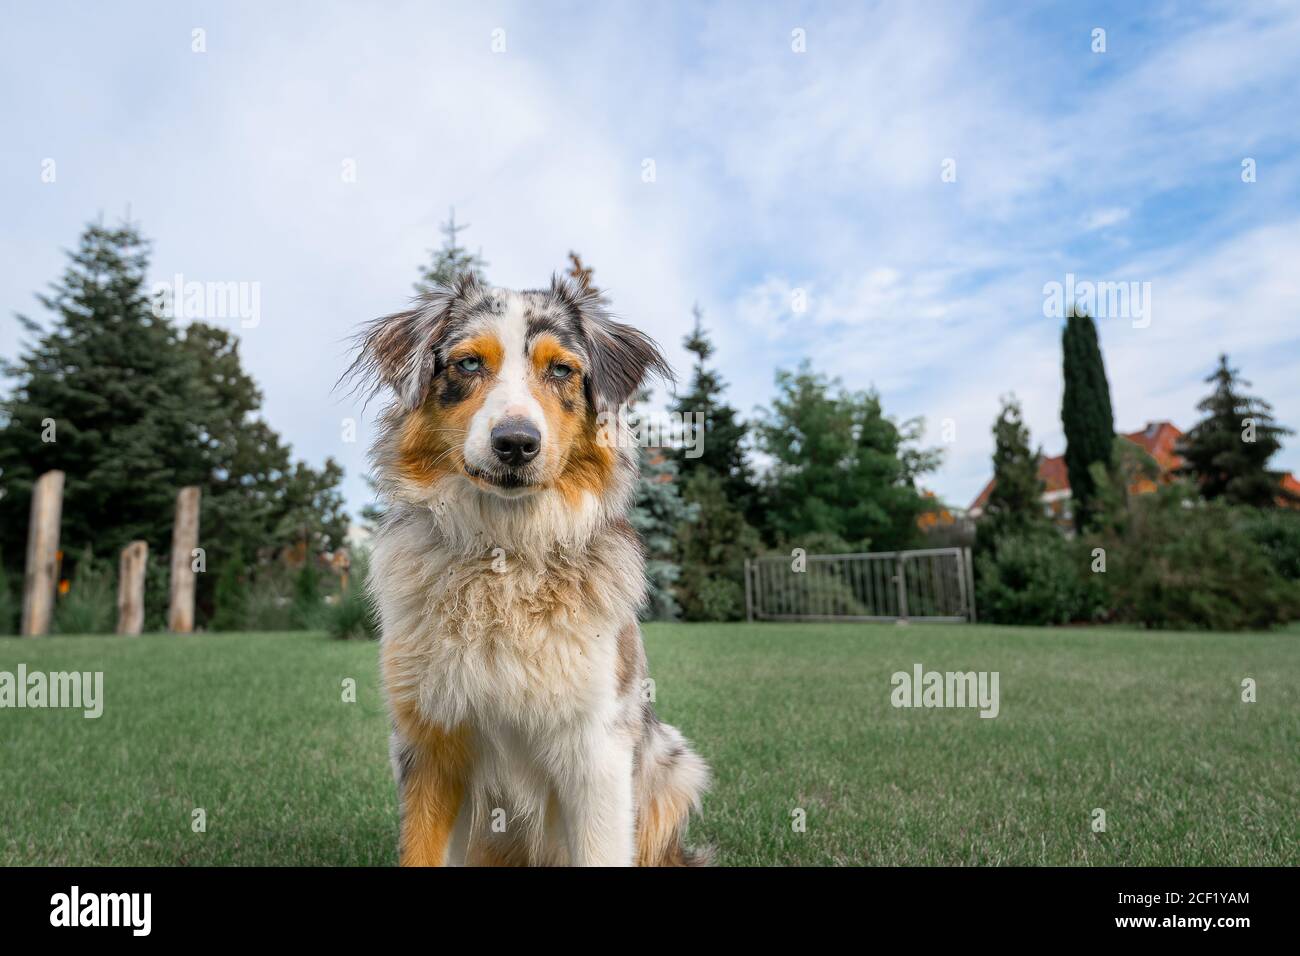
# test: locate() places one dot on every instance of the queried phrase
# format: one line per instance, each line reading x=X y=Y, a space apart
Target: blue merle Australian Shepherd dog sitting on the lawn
x=509 y=579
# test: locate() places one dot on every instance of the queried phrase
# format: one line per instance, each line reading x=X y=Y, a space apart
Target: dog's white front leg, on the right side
x=596 y=799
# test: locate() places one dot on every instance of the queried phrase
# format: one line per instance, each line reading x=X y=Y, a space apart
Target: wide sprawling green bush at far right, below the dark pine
x=1185 y=564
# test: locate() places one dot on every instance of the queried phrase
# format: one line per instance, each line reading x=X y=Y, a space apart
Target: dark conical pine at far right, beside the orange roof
x=1228 y=453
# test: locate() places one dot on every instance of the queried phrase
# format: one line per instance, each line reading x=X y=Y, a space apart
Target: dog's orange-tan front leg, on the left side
x=432 y=769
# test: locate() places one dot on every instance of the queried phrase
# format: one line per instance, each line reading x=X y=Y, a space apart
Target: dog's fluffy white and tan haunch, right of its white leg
x=673 y=778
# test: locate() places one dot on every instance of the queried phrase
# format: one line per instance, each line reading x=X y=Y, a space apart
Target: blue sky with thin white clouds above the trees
x=889 y=191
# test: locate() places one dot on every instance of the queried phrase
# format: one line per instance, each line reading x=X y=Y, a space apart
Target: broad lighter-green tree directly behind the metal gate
x=842 y=470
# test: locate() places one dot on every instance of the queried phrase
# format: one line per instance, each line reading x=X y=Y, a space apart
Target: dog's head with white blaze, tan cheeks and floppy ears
x=505 y=390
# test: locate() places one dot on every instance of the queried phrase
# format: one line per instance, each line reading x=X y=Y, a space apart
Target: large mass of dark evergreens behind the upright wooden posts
x=132 y=409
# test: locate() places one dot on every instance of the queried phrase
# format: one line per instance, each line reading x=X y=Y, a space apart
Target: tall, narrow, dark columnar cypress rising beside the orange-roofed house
x=1086 y=414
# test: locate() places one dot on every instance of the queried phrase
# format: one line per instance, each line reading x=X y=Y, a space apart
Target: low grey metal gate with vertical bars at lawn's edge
x=931 y=585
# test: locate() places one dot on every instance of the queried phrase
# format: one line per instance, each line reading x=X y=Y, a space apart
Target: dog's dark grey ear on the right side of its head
x=621 y=358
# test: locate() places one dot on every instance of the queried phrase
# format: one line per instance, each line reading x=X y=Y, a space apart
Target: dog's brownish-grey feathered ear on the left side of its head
x=401 y=351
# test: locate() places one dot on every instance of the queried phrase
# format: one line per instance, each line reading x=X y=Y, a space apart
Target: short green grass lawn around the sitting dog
x=253 y=729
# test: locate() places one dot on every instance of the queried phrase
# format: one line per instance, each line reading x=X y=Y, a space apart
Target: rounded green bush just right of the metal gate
x=1035 y=578
